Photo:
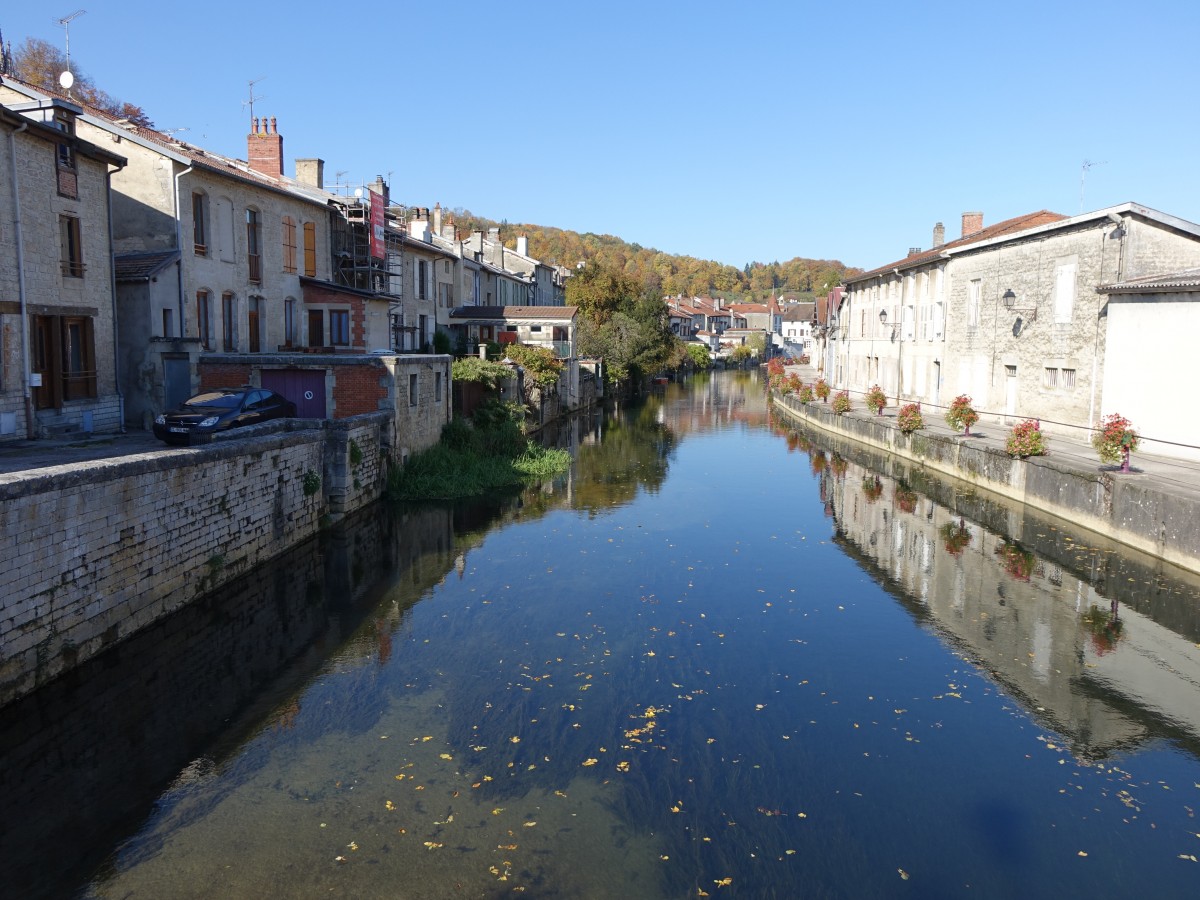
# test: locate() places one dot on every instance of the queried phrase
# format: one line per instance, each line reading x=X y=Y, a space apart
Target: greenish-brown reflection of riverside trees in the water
x=634 y=454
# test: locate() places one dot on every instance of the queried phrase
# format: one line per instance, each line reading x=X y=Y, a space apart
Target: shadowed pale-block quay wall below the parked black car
x=94 y=553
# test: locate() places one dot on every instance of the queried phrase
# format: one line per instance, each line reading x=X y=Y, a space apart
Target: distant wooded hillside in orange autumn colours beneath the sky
x=665 y=274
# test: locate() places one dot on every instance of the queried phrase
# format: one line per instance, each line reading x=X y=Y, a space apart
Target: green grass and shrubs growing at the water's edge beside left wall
x=488 y=455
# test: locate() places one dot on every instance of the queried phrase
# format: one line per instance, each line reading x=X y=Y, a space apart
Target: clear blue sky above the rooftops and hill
x=737 y=133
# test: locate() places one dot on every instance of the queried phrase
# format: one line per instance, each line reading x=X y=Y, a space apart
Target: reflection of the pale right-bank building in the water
x=1105 y=677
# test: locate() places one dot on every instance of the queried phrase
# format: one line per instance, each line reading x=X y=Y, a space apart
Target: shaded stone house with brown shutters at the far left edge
x=58 y=323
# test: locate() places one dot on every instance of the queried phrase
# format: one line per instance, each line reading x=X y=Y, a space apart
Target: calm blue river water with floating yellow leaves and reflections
x=721 y=658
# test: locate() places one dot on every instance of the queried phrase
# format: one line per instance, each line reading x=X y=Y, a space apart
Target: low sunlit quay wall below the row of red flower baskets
x=1136 y=512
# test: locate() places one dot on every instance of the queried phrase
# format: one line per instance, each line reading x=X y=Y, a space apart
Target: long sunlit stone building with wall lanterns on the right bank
x=1009 y=315
